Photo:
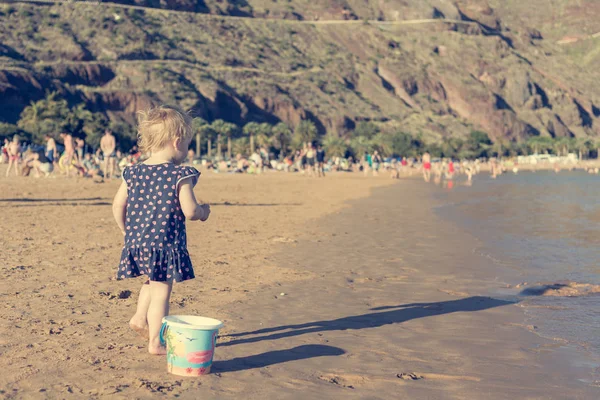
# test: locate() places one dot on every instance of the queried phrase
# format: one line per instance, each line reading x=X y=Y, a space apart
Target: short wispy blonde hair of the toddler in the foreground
x=160 y=125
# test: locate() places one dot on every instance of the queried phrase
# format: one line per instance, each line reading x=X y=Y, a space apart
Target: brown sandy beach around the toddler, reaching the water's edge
x=344 y=287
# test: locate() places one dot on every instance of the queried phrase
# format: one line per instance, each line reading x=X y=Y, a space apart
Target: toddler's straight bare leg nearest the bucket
x=160 y=294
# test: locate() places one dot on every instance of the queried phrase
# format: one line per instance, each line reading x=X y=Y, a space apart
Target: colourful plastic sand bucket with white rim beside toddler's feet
x=190 y=343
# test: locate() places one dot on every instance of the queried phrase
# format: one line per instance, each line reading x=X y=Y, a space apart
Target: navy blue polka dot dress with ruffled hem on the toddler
x=155 y=239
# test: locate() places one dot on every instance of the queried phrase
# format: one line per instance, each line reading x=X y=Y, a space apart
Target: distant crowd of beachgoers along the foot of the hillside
x=75 y=158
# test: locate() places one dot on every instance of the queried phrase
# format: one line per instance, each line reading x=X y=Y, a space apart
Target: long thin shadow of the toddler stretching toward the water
x=393 y=315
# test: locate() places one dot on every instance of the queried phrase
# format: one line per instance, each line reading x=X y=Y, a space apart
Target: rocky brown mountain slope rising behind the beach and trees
x=466 y=69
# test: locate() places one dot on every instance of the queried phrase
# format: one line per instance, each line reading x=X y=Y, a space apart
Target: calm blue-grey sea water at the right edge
x=538 y=228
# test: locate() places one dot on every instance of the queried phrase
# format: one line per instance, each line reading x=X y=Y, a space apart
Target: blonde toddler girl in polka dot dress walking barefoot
x=151 y=207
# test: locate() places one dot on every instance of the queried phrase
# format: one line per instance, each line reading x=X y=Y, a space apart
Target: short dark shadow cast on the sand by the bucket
x=276 y=357
